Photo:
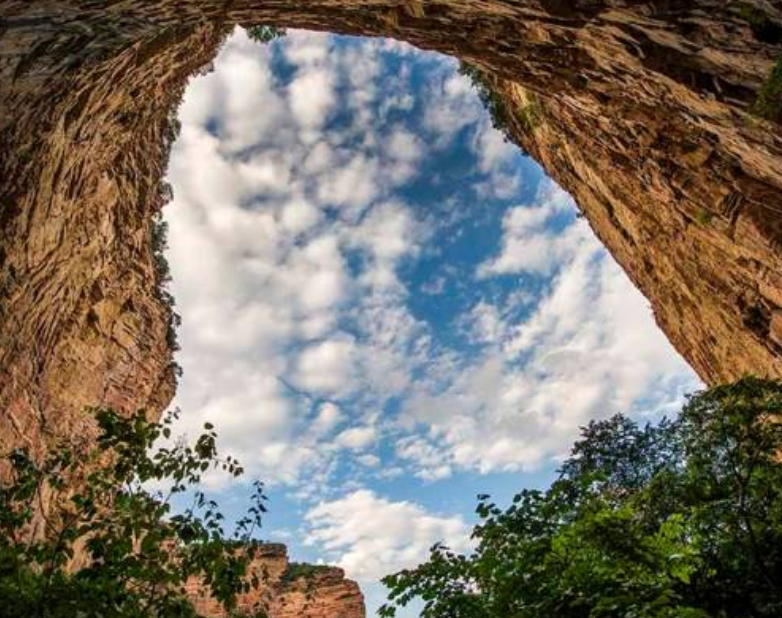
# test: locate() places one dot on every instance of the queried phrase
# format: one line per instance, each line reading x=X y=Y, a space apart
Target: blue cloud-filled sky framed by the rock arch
x=386 y=308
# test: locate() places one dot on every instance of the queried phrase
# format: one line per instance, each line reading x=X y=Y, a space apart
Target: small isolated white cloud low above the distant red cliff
x=370 y=536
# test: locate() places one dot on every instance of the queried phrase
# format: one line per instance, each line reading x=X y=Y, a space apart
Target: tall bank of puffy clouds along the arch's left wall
x=274 y=318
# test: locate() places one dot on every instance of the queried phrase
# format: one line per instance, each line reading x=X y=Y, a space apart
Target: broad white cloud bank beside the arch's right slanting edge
x=587 y=350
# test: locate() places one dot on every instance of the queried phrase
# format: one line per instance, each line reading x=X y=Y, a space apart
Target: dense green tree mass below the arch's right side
x=678 y=520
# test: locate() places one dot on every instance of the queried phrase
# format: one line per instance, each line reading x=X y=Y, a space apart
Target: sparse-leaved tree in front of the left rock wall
x=134 y=552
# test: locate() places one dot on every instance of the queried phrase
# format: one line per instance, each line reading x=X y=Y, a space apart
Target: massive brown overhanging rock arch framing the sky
x=640 y=108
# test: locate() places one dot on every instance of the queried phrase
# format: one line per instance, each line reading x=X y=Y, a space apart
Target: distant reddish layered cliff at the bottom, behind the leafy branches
x=289 y=591
